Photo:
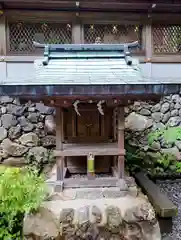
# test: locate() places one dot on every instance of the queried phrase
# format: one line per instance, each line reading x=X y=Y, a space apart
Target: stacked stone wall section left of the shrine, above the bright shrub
x=23 y=131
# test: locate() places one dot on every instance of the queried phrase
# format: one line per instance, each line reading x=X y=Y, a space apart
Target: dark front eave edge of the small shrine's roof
x=142 y=91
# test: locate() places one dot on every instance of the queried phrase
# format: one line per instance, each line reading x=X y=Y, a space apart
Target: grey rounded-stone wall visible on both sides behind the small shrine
x=25 y=128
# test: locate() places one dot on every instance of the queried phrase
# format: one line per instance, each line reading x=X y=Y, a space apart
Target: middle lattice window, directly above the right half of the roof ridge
x=112 y=33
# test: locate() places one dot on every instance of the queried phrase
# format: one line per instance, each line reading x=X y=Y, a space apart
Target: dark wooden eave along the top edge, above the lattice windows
x=141 y=6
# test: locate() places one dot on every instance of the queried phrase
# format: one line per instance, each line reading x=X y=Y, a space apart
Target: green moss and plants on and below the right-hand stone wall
x=155 y=163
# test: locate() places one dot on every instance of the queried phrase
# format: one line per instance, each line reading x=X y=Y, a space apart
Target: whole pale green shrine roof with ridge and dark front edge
x=93 y=70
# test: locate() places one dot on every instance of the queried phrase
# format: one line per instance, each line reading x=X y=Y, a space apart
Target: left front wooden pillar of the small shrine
x=59 y=144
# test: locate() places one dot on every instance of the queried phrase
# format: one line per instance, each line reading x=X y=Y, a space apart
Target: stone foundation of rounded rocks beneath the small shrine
x=97 y=214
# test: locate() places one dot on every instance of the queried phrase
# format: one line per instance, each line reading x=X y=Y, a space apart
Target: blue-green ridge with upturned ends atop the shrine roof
x=56 y=51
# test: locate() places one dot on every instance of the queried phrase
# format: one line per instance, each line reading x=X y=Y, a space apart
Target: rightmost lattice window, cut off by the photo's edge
x=166 y=38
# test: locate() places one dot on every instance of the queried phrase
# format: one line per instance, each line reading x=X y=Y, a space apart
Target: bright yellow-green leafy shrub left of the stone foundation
x=21 y=191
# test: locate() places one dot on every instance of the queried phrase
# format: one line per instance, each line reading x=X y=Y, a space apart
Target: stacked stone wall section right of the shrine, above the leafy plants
x=145 y=117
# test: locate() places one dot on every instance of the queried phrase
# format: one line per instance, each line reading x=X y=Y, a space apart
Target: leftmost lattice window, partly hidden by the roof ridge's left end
x=21 y=35
